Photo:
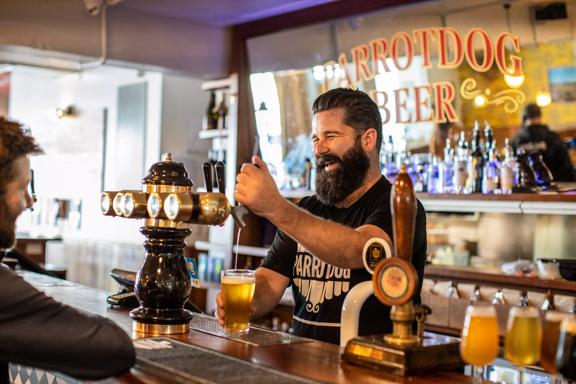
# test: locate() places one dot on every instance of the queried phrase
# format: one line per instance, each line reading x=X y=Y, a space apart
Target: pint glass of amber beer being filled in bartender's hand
x=237 y=292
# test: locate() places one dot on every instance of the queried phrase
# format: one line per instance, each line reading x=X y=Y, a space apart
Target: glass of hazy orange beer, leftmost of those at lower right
x=479 y=344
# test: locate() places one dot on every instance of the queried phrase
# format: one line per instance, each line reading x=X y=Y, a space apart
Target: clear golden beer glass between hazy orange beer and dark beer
x=523 y=336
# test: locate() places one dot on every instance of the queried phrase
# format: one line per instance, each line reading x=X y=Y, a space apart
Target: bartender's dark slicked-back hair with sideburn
x=360 y=111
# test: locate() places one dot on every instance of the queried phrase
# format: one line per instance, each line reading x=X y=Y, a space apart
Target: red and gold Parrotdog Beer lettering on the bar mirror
x=433 y=101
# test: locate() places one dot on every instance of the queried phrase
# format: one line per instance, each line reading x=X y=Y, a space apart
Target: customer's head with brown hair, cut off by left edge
x=15 y=146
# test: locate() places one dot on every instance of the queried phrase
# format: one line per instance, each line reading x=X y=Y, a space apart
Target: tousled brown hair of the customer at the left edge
x=15 y=141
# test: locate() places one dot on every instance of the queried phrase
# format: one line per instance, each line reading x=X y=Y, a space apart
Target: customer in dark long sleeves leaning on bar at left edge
x=36 y=330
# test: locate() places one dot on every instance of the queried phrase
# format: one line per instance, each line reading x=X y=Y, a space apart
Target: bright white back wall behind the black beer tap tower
x=71 y=167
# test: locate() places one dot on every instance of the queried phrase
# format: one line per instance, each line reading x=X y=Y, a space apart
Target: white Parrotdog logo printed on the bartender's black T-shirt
x=318 y=281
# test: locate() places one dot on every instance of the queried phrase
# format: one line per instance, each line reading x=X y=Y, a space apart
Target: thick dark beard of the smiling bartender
x=335 y=185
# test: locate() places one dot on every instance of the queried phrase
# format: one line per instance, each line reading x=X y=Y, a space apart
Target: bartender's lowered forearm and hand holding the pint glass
x=270 y=287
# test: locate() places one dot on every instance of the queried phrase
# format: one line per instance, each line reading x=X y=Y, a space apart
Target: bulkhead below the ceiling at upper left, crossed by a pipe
x=38 y=28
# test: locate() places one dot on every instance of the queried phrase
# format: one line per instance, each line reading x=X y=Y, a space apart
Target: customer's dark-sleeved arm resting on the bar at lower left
x=36 y=330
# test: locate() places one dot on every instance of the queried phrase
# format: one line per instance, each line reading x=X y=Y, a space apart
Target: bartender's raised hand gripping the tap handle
x=256 y=189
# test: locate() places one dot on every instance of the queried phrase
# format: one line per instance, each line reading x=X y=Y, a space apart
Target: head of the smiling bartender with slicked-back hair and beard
x=347 y=136
